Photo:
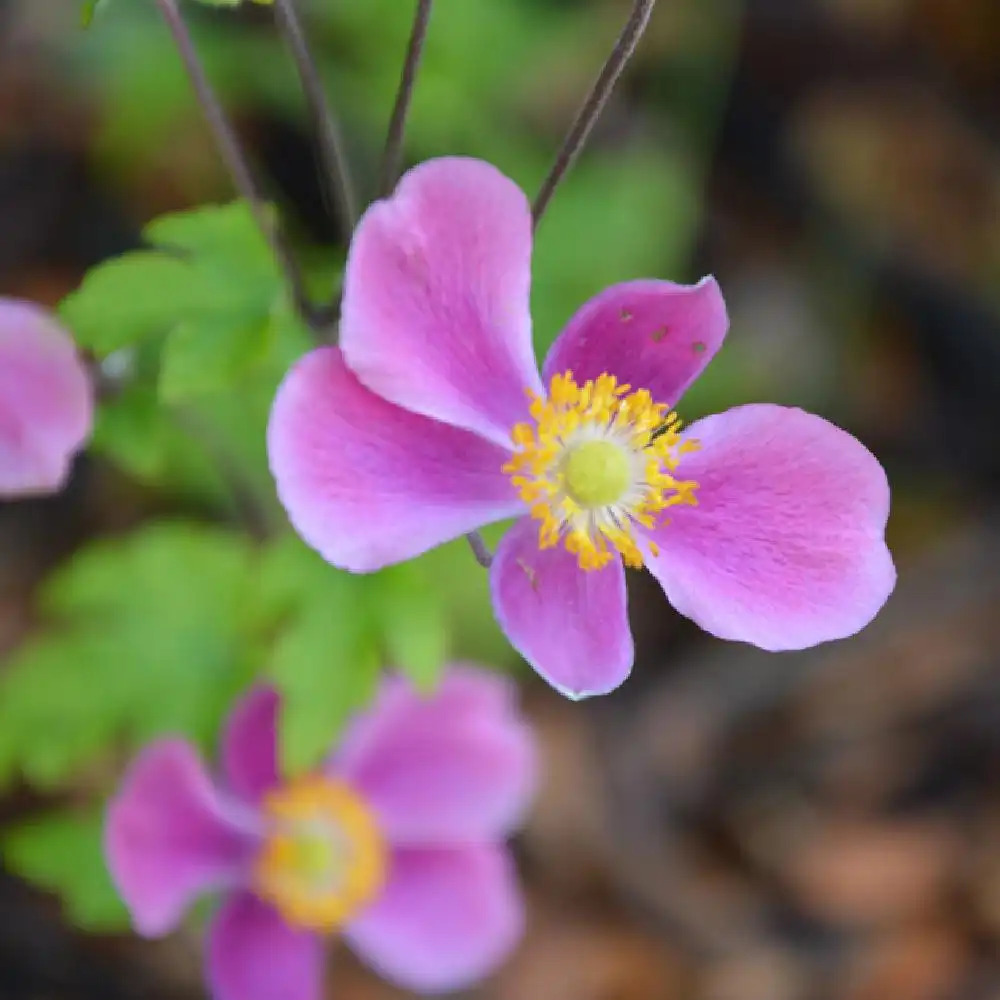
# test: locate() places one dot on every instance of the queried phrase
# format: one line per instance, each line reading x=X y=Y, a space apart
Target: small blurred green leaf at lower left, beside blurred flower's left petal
x=62 y=852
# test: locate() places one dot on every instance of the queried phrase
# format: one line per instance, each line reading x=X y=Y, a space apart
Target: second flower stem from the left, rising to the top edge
x=336 y=173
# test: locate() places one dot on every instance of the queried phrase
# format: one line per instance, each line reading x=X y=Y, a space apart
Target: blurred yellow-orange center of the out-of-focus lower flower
x=323 y=857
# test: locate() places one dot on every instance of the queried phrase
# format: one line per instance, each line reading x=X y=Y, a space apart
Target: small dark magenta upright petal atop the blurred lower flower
x=250 y=744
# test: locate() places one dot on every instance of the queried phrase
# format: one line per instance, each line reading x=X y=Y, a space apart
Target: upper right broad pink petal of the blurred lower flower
x=454 y=767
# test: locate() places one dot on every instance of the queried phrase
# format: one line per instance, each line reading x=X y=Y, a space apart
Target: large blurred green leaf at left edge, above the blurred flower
x=151 y=634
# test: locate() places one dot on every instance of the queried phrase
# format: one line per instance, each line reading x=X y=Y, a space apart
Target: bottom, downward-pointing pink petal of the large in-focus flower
x=570 y=625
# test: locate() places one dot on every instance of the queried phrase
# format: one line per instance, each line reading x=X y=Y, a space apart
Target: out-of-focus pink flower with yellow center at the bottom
x=396 y=843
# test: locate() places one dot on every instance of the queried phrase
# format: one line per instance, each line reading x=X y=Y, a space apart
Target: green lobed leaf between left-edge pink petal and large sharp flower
x=203 y=322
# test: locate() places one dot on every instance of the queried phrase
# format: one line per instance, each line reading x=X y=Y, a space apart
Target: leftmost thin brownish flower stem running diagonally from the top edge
x=232 y=155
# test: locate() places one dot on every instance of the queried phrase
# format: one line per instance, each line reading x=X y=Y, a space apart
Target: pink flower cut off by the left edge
x=46 y=402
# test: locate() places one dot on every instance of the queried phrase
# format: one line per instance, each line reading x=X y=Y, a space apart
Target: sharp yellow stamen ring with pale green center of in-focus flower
x=597 y=461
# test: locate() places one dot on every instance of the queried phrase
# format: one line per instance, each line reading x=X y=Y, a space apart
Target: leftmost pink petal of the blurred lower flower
x=169 y=837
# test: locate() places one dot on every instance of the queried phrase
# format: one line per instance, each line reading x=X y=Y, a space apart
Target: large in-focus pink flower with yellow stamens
x=763 y=524
